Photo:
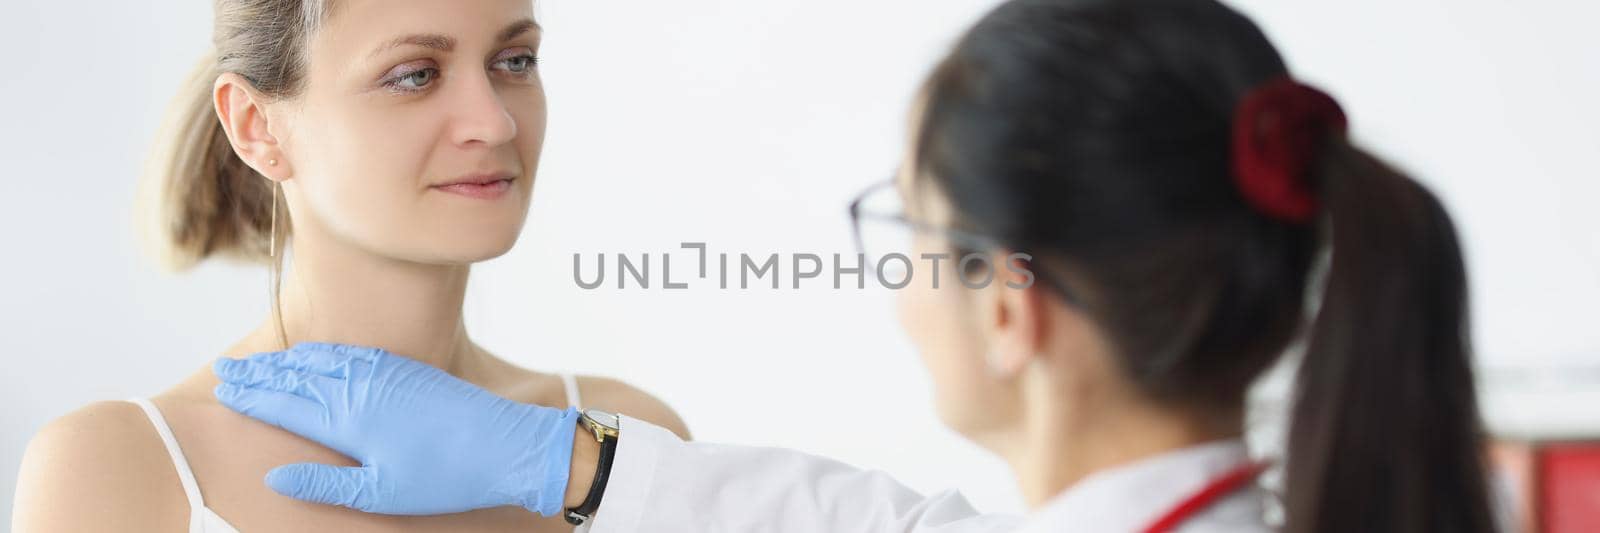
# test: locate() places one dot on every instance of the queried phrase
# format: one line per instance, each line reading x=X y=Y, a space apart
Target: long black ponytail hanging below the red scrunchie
x=1386 y=435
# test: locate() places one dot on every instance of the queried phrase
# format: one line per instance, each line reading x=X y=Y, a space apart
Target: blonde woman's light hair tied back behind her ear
x=198 y=199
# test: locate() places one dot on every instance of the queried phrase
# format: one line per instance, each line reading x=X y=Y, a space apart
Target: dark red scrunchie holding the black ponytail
x=1278 y=129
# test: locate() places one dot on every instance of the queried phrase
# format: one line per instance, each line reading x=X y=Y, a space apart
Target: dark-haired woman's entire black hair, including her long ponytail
x=1097 y=137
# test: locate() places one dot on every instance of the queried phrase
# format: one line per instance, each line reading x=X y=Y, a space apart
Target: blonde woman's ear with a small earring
x=244 y=116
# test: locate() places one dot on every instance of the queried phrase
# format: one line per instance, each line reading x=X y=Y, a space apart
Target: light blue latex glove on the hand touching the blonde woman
x=428 y=443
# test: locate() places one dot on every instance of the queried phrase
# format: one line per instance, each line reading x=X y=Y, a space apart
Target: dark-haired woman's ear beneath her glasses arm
x=1017 y=316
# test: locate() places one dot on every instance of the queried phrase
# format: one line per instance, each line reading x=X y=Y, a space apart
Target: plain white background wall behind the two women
x=748 y=126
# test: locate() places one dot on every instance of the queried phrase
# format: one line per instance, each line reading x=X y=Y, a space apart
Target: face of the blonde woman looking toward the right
x=402 y=100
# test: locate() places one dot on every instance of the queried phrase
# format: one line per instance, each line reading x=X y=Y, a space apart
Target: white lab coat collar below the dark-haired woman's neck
x=1132 y=497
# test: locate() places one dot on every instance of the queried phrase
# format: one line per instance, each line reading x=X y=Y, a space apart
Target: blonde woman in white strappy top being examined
x=369 y=153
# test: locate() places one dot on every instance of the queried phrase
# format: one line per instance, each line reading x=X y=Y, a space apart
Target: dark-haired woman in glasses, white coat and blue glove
x=1162 y=191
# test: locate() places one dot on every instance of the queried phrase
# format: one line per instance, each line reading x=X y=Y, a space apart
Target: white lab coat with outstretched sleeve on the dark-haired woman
x=663 y=484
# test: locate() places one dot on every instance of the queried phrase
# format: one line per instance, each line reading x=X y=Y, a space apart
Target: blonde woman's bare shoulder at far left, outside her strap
x=95 y=470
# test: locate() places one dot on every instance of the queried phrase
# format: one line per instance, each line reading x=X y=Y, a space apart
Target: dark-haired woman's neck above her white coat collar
x=1063 y=443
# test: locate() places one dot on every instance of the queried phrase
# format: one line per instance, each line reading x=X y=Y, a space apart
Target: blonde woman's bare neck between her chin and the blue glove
x=335 y=294
